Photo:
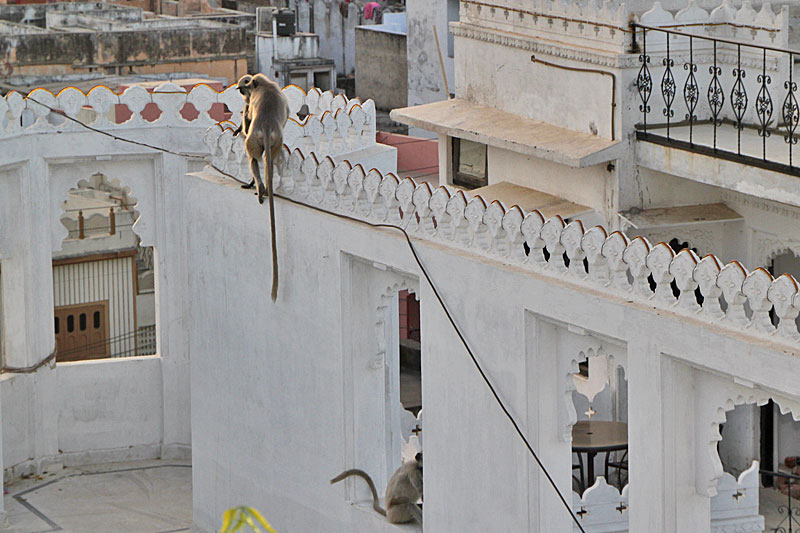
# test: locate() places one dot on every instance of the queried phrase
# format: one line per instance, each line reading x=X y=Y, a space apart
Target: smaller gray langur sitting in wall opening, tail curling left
x=402 y=492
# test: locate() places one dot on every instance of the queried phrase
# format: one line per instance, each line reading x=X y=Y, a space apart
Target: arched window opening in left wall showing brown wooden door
x=103 y=279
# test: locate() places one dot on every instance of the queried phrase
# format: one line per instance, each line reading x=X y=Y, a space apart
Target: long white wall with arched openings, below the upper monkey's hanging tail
x=527 y=325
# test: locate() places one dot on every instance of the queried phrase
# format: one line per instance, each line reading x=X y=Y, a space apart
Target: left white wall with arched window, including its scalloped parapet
x=138 y=407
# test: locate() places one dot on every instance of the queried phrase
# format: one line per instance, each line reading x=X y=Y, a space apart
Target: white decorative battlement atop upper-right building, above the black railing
x=605 y=26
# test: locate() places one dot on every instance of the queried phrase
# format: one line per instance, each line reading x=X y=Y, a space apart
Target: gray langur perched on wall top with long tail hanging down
x=265 y=114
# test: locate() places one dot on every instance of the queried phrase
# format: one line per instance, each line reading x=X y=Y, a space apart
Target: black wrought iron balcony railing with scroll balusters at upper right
x=716 y=97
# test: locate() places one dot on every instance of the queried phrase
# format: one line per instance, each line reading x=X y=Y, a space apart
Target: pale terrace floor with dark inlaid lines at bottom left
x=136 y=496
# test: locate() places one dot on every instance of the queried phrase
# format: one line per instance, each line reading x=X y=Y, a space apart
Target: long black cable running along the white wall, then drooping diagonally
x=422 y=269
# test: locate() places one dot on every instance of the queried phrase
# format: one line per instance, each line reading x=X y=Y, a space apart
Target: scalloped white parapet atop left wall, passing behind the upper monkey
x=334 y=125
